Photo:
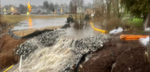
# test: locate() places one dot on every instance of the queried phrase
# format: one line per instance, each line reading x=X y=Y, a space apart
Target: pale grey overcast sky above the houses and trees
x=36 y=2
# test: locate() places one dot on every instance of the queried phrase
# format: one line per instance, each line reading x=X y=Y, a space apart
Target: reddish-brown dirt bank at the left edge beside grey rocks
x=7 y=54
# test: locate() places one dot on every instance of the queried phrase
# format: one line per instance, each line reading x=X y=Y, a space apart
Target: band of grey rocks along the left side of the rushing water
x=46 y=39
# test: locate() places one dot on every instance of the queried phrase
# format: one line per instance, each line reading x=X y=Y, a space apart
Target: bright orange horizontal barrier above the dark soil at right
x=132 y=37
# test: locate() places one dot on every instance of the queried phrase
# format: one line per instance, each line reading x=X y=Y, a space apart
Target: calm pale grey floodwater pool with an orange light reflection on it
x=39 y=23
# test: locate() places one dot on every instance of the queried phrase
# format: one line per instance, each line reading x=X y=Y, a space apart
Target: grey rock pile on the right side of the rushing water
x=89 y=44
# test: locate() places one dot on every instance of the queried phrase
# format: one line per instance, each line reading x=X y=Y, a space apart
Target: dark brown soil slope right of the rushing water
x=118 y=56
